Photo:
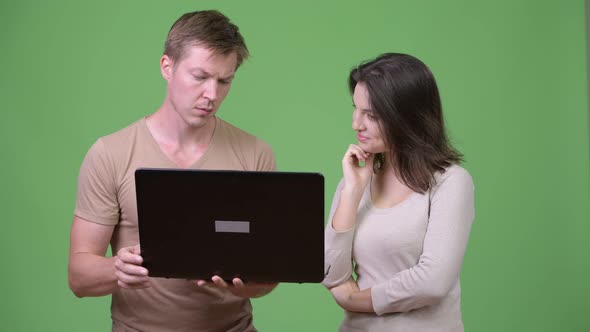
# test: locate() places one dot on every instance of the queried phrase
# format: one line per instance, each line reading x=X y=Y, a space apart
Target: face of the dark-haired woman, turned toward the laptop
x=365 y=122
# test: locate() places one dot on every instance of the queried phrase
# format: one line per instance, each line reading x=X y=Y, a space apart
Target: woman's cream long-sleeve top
x=409 y=255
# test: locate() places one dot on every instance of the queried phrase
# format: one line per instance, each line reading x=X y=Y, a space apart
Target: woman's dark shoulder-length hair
x=404 y=97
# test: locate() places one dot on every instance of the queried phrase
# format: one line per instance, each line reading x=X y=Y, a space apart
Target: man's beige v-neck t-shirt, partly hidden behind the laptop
x=106 y=195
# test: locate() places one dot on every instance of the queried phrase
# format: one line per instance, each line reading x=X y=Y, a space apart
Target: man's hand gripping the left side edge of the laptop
x=128 y=269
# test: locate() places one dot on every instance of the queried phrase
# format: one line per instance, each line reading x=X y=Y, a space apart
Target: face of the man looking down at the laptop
x=198 y=83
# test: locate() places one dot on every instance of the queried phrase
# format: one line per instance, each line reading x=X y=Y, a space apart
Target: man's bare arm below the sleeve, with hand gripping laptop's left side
x=90 y=273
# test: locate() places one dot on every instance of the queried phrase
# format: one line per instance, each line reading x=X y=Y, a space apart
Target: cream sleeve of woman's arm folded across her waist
x=438 y=268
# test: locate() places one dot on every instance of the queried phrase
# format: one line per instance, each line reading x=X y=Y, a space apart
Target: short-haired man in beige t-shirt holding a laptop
x=203 y=50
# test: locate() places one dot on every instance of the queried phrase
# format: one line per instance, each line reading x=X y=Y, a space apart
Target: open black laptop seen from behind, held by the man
x=257 y=226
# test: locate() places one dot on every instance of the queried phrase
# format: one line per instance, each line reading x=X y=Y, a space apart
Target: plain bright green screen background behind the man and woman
x=512 y=76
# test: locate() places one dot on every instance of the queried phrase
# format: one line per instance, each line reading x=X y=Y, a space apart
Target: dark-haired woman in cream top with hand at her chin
x=404 y=208
